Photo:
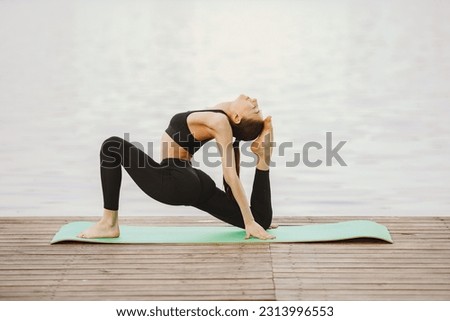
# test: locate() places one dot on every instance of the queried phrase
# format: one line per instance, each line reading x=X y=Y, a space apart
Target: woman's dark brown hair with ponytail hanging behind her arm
x=247 y=129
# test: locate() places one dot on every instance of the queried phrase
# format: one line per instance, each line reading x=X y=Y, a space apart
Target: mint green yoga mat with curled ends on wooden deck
x=214 y=234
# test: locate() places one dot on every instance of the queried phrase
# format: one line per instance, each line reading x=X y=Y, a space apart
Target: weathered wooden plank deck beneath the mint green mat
x=415 y=267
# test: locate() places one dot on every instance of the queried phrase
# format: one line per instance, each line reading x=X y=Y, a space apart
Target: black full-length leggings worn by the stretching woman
x=176 y=182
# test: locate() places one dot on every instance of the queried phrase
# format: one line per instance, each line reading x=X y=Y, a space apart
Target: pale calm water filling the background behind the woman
x=374 y=73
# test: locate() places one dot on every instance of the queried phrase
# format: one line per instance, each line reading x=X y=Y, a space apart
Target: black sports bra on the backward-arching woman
x=179 y=131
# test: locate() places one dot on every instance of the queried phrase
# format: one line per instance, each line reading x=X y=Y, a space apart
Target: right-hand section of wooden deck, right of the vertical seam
x=403 y=270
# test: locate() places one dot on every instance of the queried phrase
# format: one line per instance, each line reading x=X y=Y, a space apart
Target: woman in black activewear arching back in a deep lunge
x=174 y=181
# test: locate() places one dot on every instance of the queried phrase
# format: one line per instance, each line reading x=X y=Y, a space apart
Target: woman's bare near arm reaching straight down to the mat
x=223 y=136
